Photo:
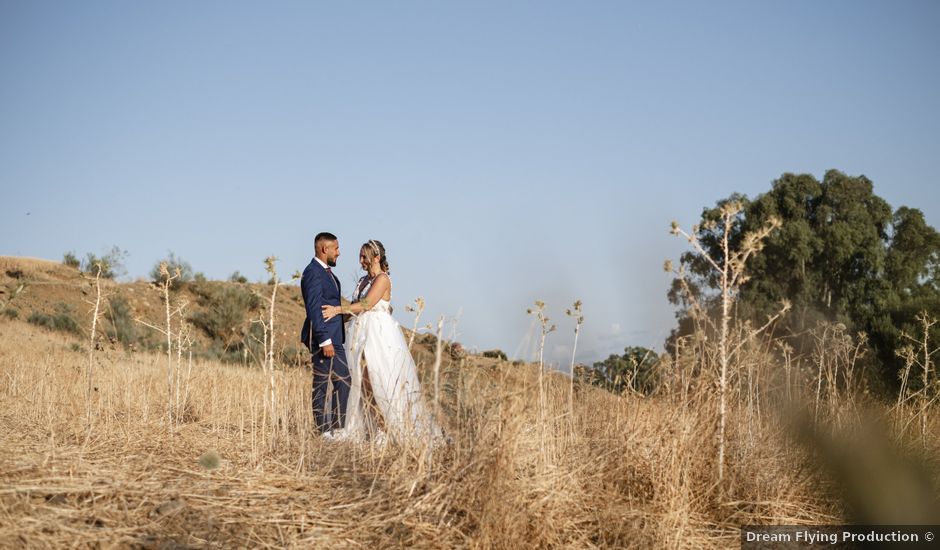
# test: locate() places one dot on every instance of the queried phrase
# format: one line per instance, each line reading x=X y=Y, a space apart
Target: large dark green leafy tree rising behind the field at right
x=841 y=255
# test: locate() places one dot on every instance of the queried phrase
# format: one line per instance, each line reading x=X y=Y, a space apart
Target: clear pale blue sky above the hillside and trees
x=503 y=152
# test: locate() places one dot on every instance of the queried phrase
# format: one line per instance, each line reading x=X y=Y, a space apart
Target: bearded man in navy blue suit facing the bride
x=325 y=339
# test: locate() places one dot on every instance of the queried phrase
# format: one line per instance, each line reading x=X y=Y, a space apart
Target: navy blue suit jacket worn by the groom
x=320 y=288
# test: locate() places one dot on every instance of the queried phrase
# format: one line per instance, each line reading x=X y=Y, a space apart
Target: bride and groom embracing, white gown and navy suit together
x=365 y=384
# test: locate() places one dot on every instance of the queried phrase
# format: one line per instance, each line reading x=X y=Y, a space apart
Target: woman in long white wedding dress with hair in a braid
x=385 y=395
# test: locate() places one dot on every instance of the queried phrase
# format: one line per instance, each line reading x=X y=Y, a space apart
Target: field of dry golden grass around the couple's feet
x=105 y=469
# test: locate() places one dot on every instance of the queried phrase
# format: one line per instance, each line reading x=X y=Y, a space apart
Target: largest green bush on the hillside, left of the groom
x=224 y=317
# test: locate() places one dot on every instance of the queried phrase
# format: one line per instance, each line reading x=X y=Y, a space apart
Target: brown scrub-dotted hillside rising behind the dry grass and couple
x=221 y=316
